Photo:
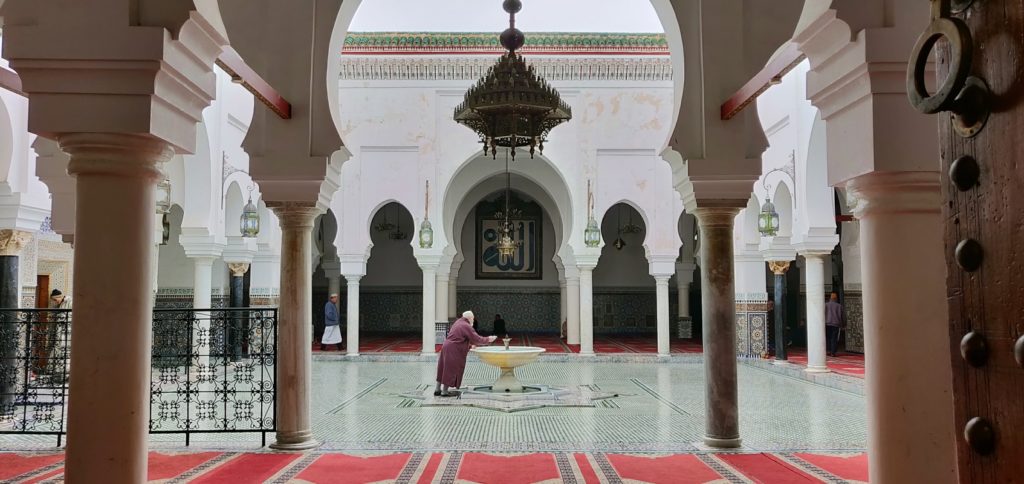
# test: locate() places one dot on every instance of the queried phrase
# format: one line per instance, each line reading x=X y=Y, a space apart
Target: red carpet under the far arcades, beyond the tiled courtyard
x=845 y=364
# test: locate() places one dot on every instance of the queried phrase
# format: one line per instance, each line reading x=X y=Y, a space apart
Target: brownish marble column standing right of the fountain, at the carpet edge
x=719 y=316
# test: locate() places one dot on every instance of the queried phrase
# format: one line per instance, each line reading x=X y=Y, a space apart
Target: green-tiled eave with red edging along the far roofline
x=543 y=43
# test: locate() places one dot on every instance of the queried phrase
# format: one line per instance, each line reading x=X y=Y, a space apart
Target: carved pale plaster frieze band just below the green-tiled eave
x=464 y=68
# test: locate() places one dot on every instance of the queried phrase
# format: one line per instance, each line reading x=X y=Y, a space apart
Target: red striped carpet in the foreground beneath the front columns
x=241 y=468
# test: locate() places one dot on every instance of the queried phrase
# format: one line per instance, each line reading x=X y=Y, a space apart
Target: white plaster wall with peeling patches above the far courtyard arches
x=402 y=136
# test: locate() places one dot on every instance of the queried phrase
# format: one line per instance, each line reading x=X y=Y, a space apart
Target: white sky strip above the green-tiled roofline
x=488 y=16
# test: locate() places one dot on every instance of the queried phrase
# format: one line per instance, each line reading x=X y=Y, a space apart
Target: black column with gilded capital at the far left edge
x=12 y=243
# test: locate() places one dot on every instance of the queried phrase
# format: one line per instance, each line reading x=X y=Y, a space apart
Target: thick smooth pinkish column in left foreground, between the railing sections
x=116 y=178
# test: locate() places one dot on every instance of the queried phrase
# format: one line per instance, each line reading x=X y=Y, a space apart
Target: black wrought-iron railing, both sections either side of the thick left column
x=214 y=371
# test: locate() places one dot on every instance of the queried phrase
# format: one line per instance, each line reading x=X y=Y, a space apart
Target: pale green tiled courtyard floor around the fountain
x=359 y=406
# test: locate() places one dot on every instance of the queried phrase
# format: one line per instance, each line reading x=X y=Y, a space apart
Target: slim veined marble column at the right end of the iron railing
x=294 y=326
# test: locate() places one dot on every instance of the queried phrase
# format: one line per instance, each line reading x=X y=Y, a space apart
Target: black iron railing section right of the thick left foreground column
x=214 y=372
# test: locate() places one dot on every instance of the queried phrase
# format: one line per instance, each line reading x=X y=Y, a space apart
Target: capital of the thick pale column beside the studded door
x=895 y=193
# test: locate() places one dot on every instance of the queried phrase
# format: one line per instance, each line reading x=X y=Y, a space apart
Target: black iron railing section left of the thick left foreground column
x=34 y=346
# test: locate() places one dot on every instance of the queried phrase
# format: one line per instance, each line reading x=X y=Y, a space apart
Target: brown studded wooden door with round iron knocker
x=980 y=99
